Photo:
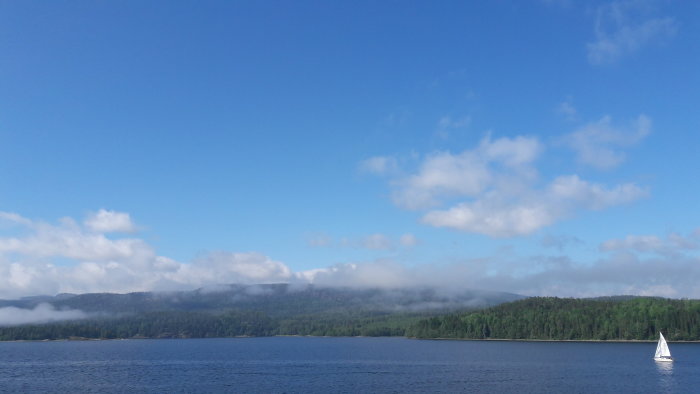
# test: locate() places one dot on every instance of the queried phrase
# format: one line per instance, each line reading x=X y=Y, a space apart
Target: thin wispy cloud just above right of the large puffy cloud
x=599 y=144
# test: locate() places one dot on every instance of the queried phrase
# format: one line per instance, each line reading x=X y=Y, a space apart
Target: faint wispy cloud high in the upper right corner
x=623 y=27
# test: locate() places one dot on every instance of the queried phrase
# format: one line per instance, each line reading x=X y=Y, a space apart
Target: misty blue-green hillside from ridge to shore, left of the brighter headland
x=240 y=310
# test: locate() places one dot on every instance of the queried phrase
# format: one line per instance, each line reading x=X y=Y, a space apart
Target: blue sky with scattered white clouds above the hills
x=543 y=147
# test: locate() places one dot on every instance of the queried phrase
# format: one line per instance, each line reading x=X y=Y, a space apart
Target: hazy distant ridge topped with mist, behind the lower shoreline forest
x=276 y=299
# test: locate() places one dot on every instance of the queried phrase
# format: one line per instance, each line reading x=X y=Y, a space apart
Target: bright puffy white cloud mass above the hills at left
x=45 y=258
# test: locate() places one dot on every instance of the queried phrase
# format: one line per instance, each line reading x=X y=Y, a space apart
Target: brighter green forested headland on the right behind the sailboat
x=547 y=318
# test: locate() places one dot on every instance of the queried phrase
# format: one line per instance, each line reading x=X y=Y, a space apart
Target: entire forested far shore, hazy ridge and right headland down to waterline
x=325 y=312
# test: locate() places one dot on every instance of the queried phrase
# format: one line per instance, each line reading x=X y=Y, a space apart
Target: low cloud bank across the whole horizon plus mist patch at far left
x=72 y=258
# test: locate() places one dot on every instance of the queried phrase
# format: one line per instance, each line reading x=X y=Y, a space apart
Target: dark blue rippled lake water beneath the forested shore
x=344 y=365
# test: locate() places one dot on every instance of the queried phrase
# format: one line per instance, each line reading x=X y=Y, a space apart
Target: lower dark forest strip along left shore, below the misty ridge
x=188 y=324
